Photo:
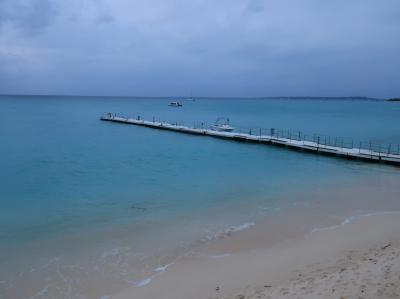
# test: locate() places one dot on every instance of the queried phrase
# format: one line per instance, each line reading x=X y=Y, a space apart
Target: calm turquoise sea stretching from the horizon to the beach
x=90 y=207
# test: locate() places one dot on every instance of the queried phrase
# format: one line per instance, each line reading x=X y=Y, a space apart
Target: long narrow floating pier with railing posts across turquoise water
x=296 y=142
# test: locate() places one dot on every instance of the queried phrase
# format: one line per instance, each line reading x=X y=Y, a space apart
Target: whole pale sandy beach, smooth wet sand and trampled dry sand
x=356 y=259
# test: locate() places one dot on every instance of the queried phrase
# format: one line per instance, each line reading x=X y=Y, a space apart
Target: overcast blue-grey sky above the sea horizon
x=214 y=47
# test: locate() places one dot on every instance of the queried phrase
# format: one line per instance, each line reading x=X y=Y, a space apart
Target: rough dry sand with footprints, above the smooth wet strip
x=373 y=273
